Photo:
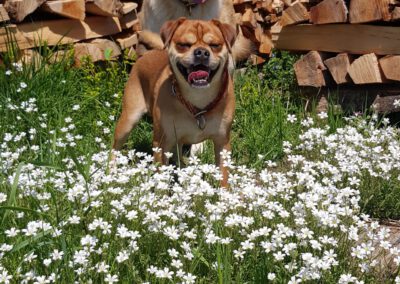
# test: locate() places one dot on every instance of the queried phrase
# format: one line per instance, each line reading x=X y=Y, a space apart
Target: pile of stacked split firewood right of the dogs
x=354 y=44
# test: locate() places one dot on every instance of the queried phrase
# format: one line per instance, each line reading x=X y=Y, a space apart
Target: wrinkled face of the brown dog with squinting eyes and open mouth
x=198 y=50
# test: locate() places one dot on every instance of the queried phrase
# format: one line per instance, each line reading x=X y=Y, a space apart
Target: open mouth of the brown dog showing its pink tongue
x=198 y=76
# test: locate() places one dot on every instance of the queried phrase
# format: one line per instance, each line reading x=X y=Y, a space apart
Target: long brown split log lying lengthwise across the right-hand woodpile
x=355 y=39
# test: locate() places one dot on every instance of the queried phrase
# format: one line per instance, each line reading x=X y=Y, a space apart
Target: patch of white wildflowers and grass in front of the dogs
x=77 y=218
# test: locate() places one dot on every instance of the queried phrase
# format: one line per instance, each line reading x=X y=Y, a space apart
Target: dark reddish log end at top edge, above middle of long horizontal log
x=328 y=12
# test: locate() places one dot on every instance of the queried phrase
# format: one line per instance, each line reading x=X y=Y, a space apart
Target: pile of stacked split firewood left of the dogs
x=100 y=29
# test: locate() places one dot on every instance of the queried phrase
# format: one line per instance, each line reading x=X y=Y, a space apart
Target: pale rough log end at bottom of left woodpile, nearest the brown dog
x=97 y=50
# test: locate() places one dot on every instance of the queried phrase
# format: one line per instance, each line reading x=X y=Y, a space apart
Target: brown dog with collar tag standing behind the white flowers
x=186 y=89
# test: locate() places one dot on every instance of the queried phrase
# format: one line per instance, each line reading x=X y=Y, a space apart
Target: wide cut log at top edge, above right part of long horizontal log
x=364 y=11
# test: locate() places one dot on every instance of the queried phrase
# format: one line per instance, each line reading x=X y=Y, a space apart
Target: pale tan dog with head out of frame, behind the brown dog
x=154 y=13
